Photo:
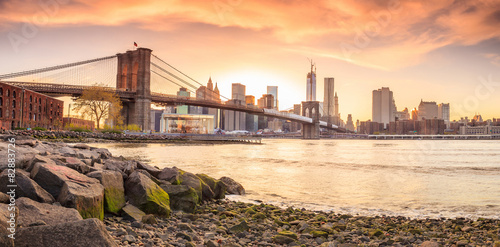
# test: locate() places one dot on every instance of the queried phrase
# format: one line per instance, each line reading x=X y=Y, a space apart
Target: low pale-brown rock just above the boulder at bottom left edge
x=31 y=212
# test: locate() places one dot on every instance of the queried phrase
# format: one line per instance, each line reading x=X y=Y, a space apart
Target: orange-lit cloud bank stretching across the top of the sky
x=410 y=30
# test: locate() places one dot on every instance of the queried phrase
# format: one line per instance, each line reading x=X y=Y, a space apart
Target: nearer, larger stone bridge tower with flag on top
x=133 y=74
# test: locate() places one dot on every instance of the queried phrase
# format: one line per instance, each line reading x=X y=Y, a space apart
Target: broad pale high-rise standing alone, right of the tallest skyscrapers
x=383 y=107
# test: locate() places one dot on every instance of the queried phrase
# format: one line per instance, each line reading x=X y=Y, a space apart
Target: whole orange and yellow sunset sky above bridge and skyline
x=444 y=51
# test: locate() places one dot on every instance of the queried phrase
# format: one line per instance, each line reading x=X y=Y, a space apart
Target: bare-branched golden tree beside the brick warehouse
x=97 y=102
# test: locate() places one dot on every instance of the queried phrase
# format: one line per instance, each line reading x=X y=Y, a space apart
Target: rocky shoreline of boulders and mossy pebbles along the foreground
x=77 y=195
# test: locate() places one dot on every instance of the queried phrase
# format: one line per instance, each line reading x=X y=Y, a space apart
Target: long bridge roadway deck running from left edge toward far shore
x=166 y=99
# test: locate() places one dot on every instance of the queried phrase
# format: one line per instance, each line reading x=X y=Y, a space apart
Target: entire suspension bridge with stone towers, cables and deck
x=141 y=79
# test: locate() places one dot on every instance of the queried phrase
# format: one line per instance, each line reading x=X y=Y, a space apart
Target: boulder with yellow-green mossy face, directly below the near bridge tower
x=147 y=195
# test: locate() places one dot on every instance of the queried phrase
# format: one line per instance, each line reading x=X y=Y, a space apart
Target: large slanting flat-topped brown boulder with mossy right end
x=71 y=188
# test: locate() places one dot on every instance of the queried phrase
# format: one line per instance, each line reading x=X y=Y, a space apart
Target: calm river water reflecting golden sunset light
x=414 y=178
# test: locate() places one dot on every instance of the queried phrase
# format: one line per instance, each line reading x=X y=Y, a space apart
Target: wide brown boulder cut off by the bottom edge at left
x=84 y=233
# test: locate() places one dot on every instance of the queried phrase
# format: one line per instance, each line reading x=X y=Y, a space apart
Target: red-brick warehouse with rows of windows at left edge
x=24 y=108
